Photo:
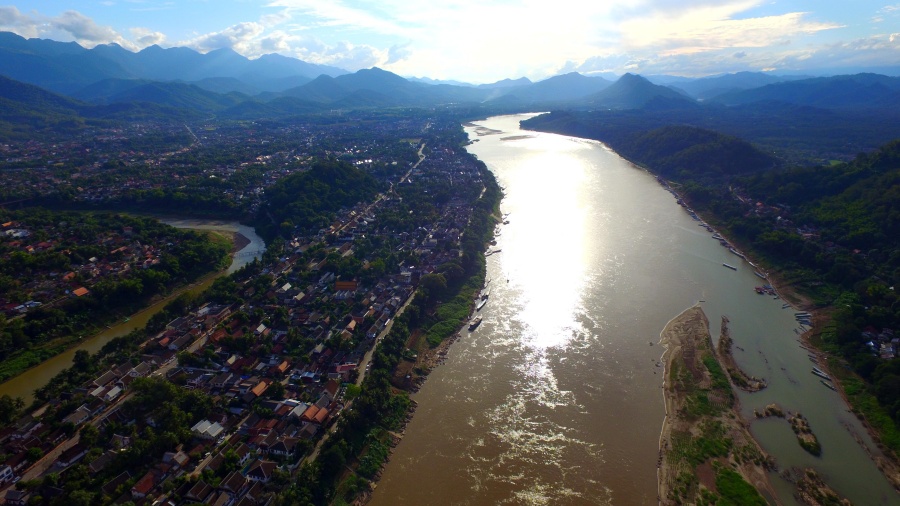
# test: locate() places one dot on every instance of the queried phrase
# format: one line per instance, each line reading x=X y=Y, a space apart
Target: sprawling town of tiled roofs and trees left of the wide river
x=237 y=391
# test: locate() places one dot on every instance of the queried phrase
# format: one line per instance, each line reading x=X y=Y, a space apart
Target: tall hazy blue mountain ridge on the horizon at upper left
x=68 y=67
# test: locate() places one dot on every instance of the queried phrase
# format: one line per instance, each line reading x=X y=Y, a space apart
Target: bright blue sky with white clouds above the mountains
x=487 y=40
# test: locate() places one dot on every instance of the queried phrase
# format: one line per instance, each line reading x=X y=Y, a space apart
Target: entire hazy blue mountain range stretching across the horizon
x=230 y=85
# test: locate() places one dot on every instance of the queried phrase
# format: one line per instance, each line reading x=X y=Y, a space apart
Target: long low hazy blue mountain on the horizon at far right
x=860 y=91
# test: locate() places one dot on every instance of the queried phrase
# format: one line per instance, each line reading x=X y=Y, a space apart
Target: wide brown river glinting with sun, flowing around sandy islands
x=556 y=397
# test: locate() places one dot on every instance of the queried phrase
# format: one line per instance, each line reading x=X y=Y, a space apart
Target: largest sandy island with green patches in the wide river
x=706 y=450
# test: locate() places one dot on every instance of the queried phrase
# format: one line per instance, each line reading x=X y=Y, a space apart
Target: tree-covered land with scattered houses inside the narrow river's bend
x=123 y=262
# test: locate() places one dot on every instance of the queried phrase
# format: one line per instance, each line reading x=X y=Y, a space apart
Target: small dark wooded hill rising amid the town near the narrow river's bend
x=309 y=199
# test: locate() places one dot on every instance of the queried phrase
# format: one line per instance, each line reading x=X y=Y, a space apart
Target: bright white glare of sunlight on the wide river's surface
x=547 y=260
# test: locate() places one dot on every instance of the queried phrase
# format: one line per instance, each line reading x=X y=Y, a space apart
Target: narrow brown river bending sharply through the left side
x=26 y=383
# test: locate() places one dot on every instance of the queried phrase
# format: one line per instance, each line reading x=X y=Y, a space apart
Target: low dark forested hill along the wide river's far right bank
x=675 y=152
